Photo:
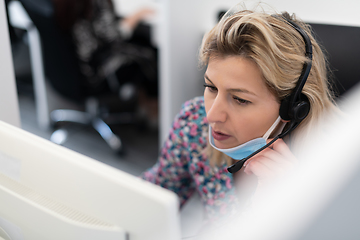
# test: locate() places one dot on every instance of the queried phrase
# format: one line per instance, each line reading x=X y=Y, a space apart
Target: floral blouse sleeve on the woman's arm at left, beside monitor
x=172 y=168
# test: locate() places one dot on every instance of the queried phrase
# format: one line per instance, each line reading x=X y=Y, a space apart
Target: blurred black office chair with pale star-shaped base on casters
x=62 y=71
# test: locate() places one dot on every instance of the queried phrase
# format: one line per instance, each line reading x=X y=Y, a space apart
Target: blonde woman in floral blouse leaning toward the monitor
x=254 y=61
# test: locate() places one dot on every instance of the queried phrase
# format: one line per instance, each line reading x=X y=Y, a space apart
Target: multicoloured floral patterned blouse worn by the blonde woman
x=184 y=167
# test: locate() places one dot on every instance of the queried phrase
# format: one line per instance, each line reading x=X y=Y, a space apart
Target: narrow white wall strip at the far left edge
x=9 y=107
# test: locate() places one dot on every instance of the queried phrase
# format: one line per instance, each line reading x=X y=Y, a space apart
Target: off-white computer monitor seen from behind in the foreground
x=50 y=192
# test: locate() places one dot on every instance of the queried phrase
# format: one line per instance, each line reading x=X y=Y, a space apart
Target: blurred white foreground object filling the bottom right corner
x=320 y=201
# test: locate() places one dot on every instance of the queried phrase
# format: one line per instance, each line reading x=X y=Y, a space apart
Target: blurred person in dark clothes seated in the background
x=112 y=51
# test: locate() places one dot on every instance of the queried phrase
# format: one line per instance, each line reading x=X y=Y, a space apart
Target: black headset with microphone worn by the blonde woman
x=294 y=107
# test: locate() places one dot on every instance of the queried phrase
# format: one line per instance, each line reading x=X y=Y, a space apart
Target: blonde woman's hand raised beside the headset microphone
x=271 y=163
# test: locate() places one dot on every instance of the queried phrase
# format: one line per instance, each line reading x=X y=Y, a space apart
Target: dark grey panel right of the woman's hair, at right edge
x=342 y=46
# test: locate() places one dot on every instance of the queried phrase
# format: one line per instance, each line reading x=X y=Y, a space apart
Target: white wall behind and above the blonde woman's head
x=181 y=27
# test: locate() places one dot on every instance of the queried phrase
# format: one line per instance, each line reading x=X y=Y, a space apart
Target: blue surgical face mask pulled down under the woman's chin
x=247 y=148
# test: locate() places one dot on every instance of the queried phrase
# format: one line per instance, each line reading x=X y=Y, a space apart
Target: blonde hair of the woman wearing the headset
x=279 y=52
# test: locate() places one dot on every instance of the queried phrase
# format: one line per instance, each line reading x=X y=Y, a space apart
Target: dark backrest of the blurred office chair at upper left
x=59 y=57
